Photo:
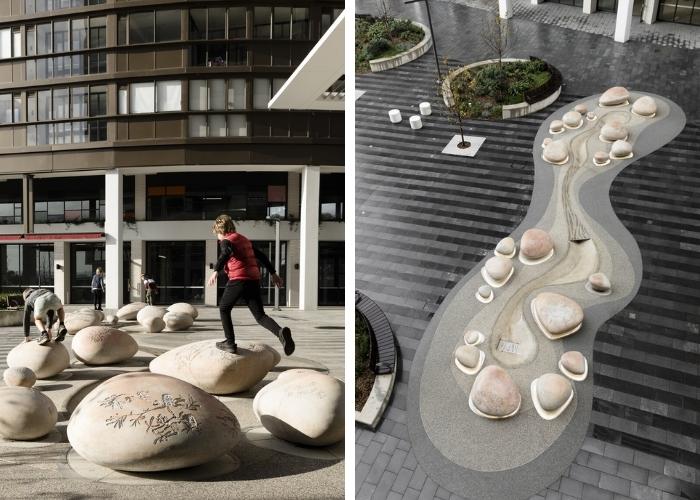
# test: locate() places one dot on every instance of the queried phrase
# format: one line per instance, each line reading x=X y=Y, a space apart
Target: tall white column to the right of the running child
x=308 y=238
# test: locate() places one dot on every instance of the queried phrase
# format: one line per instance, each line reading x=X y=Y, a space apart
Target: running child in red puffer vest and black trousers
x=239 y=259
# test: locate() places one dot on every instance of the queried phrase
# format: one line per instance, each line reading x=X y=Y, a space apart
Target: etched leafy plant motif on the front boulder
x=166 y=418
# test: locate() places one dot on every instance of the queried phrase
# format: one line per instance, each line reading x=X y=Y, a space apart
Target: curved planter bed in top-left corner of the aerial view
x=386 y=43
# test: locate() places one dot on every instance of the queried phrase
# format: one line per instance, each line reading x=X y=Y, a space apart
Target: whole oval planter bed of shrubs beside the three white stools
x=482 y=90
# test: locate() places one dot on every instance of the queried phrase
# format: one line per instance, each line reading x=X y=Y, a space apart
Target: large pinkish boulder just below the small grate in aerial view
x=494 y=394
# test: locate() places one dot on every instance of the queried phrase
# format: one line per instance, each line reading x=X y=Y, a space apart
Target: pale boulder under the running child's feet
x=216 y=371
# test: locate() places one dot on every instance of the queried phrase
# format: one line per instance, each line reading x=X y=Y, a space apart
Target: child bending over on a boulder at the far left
x=46 y=307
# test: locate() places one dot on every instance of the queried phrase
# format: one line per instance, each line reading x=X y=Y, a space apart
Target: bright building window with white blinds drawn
x=147 y=97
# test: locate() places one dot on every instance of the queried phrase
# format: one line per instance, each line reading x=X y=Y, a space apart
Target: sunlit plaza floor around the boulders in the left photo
x=259 y=467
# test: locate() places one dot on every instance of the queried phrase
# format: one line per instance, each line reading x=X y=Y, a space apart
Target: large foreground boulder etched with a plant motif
x=151 y=422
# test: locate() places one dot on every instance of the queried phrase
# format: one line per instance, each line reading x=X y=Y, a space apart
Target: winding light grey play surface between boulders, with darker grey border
x=518 y=457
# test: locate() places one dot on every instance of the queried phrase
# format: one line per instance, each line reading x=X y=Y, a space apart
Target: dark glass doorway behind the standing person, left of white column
x=85 y=258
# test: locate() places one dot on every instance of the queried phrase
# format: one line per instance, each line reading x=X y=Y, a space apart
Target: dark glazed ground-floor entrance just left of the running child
x=178 y=269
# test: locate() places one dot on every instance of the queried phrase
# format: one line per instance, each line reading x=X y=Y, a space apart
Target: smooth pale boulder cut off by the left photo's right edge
x=304 y=407
